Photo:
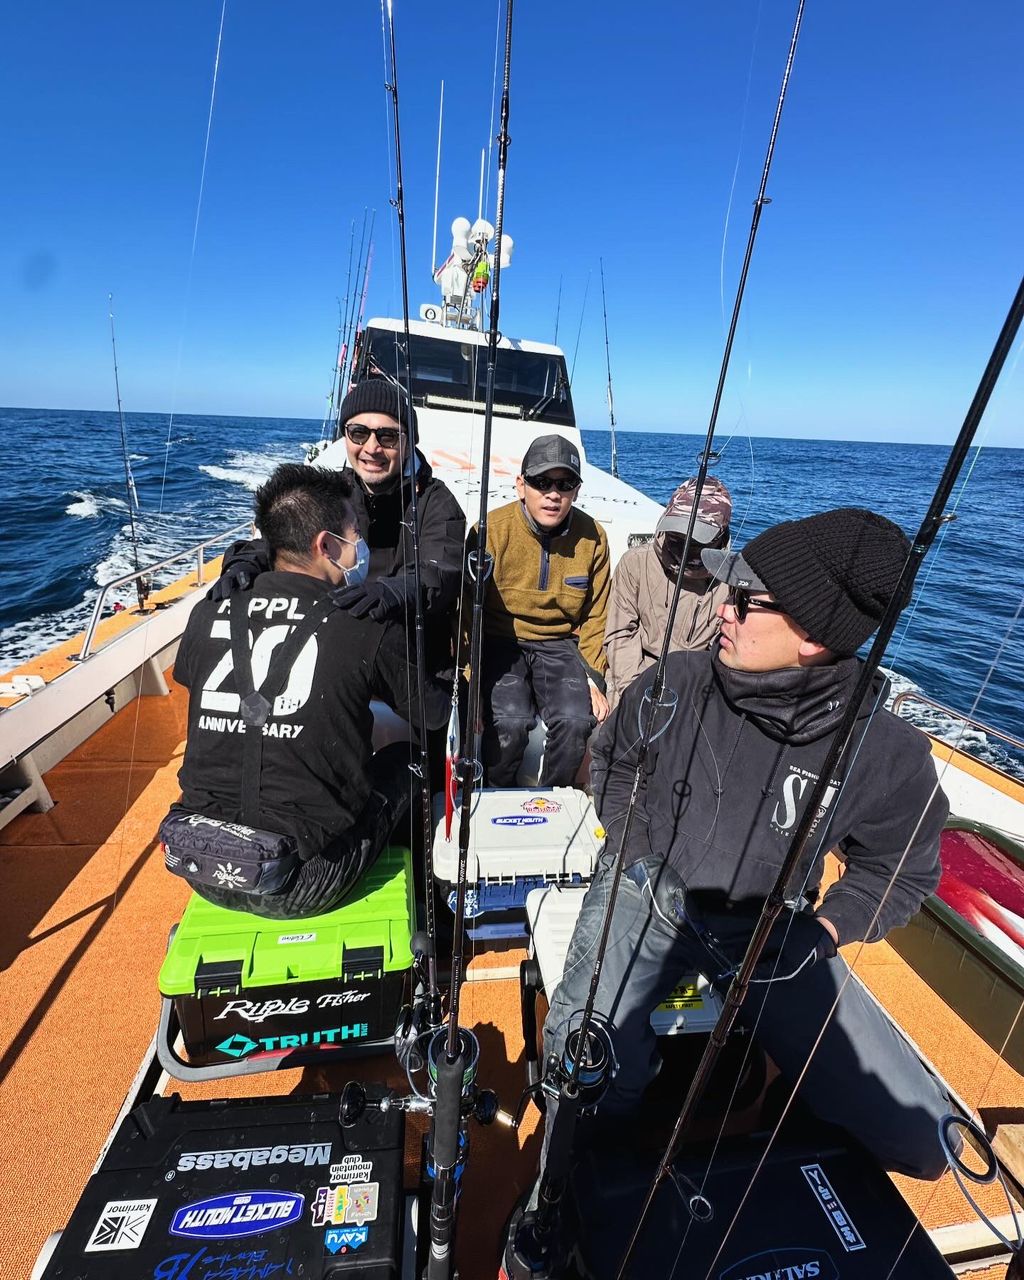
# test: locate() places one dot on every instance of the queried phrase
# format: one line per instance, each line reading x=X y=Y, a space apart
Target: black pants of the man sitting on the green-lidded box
x=323 y=881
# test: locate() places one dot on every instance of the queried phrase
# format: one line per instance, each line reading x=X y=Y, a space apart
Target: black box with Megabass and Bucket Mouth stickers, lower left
x=241 y=1190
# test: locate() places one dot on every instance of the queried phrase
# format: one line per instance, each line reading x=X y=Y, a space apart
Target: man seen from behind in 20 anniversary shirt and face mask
x=301 y=673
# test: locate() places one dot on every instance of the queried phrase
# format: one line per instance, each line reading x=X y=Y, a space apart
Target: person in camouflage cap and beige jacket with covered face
x=644 y=580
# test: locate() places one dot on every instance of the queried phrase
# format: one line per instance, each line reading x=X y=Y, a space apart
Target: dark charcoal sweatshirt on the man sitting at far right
x=724 y=785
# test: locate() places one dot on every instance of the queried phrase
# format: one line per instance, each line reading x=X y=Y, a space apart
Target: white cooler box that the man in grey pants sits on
x=551 y=913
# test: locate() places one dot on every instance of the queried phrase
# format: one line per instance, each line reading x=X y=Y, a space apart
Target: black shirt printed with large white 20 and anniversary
x=317 y=742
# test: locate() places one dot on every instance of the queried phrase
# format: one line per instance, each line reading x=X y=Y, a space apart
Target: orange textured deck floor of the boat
x=89 y=907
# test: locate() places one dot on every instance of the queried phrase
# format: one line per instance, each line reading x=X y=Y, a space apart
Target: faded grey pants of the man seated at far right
x=863 y=1076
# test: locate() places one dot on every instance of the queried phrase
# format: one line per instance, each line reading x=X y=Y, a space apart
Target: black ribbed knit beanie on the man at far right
x=835 y=573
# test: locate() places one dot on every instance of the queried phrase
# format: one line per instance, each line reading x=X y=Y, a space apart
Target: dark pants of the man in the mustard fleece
x=523 y=678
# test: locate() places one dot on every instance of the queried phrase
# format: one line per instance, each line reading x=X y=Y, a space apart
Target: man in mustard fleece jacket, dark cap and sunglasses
x=545 y=614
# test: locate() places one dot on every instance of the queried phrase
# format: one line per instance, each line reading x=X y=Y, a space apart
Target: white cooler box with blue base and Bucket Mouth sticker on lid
x=520 y=840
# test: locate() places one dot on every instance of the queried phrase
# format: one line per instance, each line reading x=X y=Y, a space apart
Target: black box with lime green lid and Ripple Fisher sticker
x=253 y=994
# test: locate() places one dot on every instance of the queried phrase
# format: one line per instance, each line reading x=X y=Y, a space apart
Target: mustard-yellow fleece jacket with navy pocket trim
x=547 y=588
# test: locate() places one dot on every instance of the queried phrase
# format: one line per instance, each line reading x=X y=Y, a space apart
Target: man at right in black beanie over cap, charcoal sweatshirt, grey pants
x=732 y=766
